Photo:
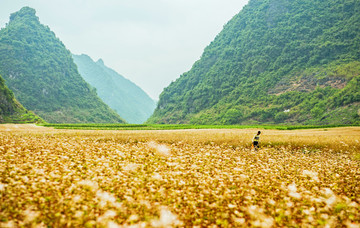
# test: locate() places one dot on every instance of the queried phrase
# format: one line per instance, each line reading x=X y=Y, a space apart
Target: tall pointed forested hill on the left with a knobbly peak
x=43 y=76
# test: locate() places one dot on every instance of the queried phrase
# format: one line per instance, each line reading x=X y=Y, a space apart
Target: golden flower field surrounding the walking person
x=179 y=178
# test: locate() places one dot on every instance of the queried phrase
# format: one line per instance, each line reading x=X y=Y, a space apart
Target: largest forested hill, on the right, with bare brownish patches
x=277 y=61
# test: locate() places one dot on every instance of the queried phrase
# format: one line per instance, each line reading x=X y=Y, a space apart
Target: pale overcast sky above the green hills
x=149 y=42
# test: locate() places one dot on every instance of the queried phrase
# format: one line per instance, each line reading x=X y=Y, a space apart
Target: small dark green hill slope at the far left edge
x=11 y=111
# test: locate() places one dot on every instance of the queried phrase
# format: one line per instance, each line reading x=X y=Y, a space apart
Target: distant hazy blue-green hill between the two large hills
x=122 y=95
